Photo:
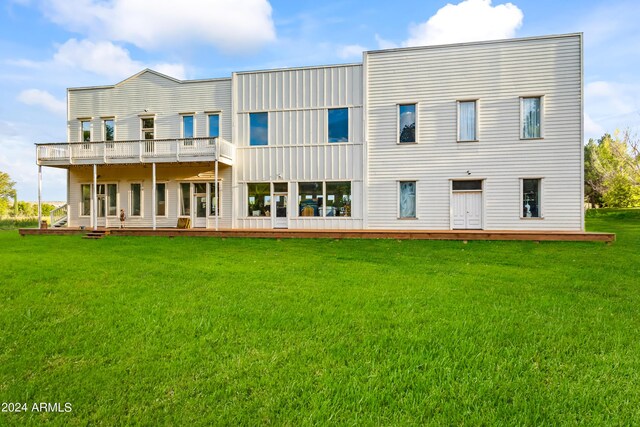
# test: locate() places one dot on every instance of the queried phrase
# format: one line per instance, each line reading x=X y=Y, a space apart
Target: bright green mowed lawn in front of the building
x=202 y=331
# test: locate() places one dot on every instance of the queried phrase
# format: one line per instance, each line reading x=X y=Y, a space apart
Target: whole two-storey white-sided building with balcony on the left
x=484 y=135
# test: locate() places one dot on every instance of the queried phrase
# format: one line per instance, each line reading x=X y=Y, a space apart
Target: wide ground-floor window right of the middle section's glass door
x=324 y=199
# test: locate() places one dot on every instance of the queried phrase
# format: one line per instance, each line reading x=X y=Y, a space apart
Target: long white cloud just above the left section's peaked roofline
x=107 y=59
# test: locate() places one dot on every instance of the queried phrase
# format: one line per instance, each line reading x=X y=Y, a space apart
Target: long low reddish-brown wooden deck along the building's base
x=573 y=236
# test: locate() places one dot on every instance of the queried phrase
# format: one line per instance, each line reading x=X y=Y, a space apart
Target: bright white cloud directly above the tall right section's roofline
x=470 y=20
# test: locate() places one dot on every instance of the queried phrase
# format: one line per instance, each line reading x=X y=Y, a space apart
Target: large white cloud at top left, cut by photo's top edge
x=231 y=25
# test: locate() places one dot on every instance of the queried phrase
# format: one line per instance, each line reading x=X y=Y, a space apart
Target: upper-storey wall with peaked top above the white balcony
x=164 y=99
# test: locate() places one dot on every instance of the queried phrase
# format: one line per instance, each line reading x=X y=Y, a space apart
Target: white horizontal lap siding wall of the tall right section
x=496 y=74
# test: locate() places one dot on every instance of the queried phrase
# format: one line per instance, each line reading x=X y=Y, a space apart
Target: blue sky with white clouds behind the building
x=49 y=45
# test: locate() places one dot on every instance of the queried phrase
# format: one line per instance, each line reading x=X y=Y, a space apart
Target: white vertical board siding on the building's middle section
x=297 y=101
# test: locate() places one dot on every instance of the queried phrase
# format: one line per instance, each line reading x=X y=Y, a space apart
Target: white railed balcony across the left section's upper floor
x=140 y=151
